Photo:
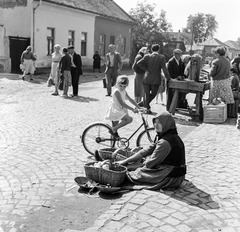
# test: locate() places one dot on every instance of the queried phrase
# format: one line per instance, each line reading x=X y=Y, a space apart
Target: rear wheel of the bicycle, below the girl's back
x=96 y=136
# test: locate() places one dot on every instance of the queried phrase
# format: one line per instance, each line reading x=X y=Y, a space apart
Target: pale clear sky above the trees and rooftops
x=227 y=13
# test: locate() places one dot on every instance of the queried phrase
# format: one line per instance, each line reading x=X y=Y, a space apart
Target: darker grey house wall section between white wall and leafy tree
x=119 y=30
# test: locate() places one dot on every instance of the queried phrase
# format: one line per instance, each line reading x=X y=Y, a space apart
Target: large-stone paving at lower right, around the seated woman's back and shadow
x=209 y=199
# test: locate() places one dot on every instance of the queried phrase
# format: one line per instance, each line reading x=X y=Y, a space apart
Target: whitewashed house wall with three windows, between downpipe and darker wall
x=62 y=19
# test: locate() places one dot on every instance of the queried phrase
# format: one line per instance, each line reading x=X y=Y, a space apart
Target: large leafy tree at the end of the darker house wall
x=149 y=26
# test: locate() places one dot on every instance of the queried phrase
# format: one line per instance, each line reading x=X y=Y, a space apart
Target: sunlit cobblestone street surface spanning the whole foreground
x=41 y=154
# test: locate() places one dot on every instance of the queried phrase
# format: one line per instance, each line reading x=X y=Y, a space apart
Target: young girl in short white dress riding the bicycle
x=118 y=111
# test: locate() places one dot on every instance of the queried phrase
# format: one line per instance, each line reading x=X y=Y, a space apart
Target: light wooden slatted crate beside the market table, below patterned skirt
x=215 y=113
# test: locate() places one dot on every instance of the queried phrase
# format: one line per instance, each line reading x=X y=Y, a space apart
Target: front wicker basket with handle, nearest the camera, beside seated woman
x=114 y=177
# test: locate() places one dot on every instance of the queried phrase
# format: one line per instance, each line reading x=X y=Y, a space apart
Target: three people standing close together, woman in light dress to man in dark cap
x=66 y=69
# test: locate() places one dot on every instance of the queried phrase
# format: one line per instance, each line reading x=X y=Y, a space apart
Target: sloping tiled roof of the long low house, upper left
x=104 y=8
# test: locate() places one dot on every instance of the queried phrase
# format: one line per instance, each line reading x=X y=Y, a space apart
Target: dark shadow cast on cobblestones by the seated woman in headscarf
x=192 y=195
